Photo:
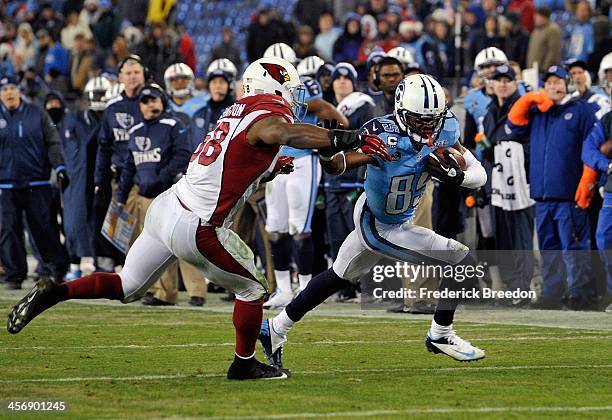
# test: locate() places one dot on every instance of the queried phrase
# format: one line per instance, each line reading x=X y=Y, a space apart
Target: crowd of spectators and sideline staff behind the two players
x=71 y=85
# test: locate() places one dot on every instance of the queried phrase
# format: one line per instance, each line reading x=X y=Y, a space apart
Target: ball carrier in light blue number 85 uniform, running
x=420 y=124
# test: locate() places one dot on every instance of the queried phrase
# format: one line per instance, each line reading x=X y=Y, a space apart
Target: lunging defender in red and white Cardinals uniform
x=190 y=220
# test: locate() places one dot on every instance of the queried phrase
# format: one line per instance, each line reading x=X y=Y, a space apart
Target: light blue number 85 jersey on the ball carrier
x=393 y=189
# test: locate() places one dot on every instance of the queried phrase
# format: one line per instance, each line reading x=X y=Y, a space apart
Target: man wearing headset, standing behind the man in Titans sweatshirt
x=120 y=115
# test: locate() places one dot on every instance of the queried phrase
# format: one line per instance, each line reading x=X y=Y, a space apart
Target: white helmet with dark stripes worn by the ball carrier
x=420 y=107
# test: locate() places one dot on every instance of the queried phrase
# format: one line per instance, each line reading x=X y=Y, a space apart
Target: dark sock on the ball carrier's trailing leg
x=319 y=288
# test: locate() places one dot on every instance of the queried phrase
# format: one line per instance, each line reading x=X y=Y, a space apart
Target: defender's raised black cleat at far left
x=43 y=295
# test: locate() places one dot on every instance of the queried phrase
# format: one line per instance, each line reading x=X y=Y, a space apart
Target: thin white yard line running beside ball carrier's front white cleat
x=321 y=342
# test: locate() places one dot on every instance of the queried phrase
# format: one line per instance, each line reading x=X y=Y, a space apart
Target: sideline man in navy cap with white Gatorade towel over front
x=513 y=209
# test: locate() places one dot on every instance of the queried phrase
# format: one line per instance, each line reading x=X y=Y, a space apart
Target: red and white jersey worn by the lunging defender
x=226 y=169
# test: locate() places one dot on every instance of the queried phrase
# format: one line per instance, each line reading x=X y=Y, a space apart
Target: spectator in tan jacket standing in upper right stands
x=545 y=42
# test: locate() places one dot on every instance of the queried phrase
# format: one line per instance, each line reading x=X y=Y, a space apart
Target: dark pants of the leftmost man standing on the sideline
x=36 y=204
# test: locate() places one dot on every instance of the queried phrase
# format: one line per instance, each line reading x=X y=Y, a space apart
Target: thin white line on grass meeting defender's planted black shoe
x=140 y=378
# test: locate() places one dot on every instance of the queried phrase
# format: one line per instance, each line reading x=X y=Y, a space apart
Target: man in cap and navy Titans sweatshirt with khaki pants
x=158 y=152
